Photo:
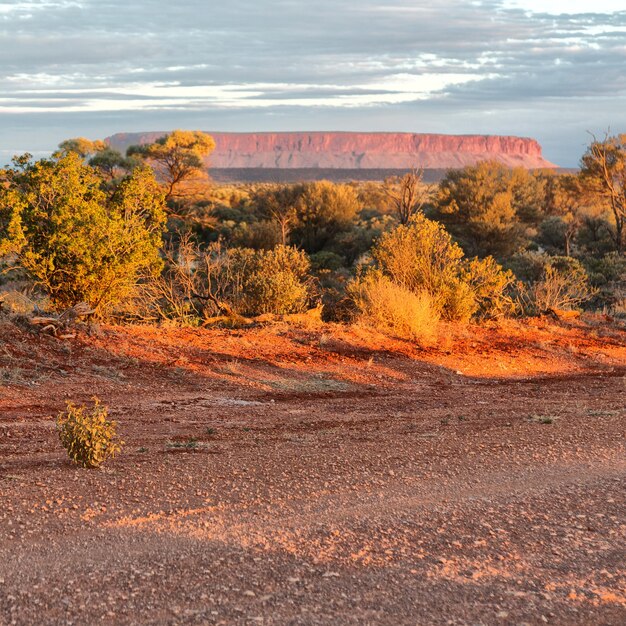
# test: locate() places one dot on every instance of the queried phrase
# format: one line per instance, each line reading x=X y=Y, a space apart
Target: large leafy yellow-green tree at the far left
x=76 y=242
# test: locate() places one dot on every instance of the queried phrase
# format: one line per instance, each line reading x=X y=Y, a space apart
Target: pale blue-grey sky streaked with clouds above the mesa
x=551 y=70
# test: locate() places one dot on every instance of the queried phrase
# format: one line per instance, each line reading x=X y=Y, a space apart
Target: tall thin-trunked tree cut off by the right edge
x=603 y=173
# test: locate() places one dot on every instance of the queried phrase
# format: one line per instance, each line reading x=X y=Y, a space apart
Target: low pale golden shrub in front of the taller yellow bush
x=392 y=308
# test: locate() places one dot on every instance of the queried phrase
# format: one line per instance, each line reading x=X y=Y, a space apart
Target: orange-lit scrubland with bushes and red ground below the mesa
x=381 y=403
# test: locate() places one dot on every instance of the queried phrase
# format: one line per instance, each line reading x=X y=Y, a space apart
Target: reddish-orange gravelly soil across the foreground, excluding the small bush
x=318 y=476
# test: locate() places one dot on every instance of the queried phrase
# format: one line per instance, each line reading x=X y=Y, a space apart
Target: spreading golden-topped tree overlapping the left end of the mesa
x=176 y=158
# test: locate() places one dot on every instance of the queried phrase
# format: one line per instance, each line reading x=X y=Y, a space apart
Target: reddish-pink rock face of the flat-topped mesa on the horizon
x=347 y=150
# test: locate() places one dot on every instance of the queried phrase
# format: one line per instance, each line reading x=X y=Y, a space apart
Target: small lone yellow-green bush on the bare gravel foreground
x=87 y=435
